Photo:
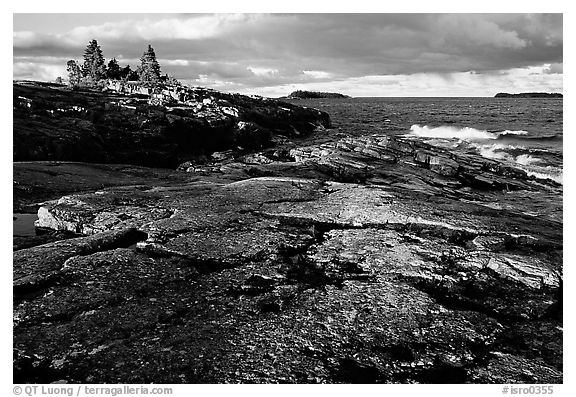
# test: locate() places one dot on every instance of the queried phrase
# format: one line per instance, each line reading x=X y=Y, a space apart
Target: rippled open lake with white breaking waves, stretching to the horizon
x=524 y=132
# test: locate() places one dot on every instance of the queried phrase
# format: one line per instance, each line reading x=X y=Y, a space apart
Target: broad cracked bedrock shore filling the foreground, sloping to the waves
x=372 y=259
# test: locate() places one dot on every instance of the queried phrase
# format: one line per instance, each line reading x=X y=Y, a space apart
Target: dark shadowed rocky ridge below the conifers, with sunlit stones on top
x=160 y=126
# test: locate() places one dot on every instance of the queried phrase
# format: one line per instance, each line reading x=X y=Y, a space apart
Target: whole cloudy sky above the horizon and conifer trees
x=372 y=54
